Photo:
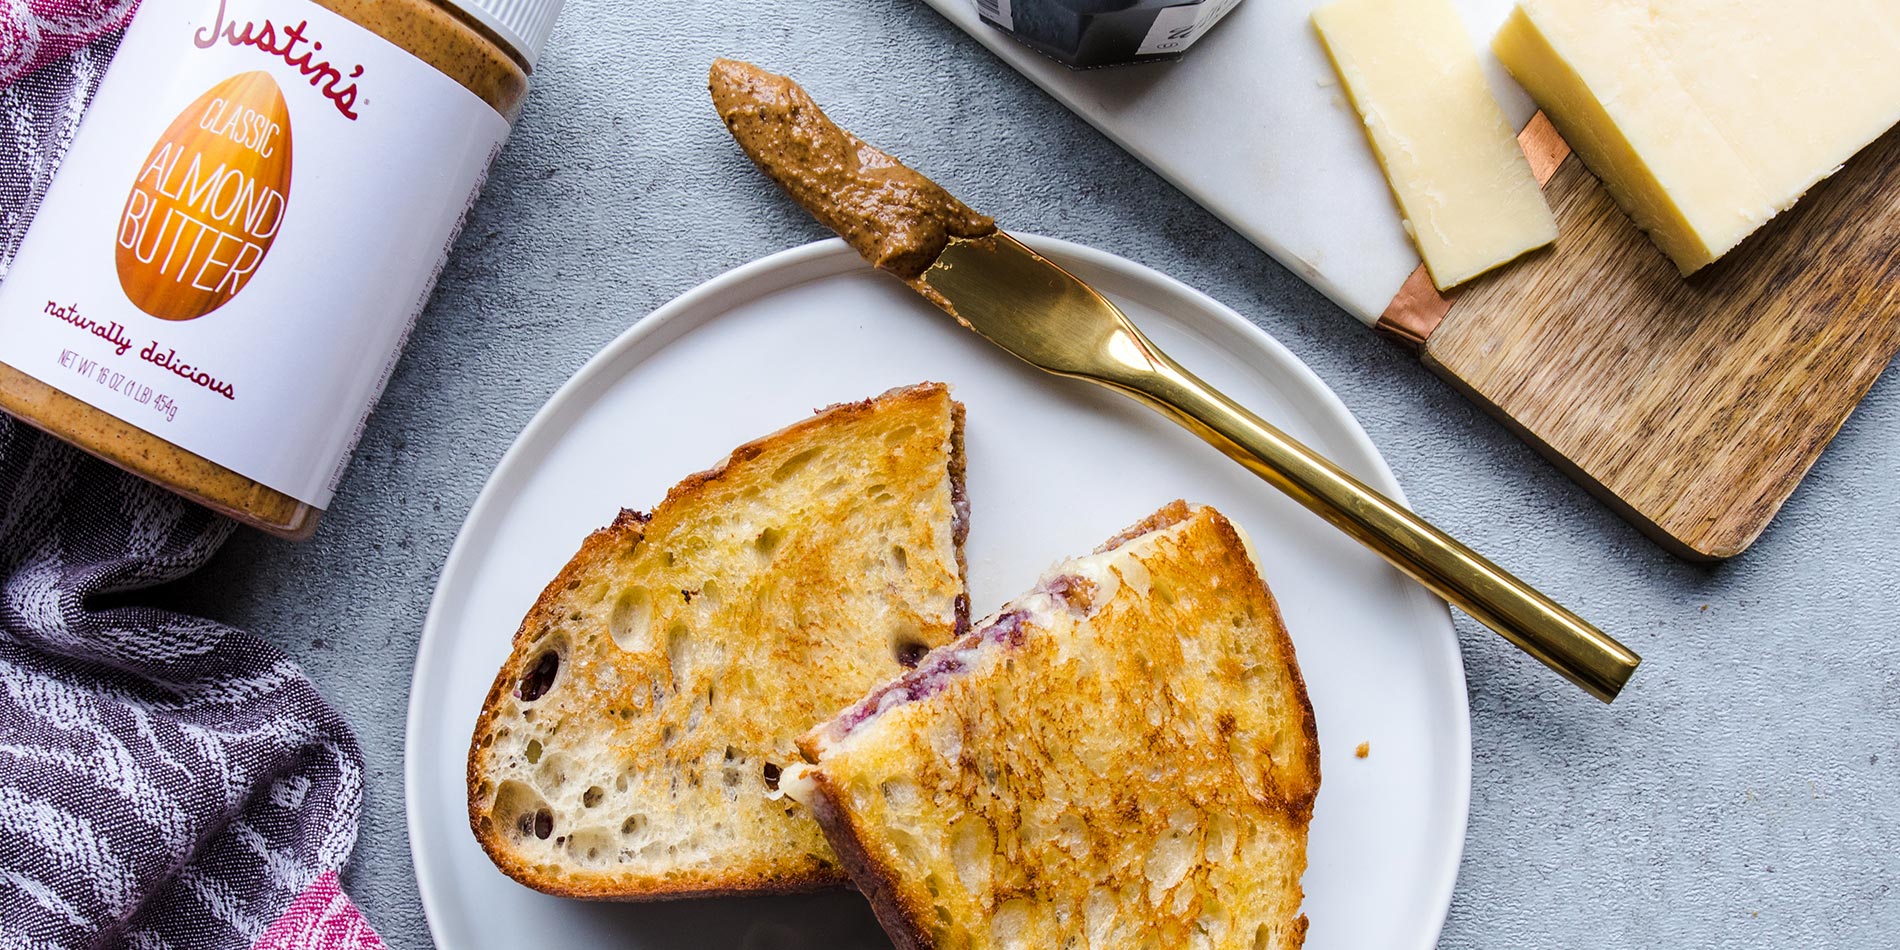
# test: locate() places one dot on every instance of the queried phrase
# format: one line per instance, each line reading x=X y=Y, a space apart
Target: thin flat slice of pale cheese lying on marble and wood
x=1466 y=191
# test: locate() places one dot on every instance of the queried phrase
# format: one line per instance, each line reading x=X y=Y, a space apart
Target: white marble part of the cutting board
x=1255 y=126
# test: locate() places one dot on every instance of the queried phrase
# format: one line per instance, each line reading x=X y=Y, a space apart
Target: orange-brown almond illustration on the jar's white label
x=208 y=202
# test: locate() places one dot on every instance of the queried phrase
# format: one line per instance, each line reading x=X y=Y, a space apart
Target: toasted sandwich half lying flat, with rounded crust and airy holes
x=632 y=742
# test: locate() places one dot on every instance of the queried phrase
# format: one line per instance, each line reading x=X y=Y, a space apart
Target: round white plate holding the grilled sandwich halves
x=1055 y=468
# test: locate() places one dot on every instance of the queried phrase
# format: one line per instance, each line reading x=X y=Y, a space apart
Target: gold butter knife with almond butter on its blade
x=1050 y=318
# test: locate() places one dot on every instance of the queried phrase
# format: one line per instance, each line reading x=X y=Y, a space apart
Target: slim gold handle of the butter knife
x=1530 y=620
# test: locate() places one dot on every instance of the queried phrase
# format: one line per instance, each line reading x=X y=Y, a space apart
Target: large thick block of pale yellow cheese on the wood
x=1705 y=119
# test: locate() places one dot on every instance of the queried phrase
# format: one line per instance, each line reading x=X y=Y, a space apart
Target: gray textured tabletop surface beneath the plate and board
x=1745 y=789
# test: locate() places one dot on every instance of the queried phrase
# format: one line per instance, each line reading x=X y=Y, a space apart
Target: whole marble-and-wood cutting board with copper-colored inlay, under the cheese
x=1694 y=408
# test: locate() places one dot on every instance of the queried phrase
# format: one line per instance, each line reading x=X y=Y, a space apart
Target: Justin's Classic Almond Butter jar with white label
x=254 y=212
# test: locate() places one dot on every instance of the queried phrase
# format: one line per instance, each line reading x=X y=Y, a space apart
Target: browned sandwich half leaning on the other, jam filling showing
x=1120 y=759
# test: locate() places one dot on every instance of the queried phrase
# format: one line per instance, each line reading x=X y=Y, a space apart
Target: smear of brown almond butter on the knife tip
x=894 y=218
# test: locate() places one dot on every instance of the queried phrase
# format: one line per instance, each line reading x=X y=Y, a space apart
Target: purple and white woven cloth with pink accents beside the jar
x=166 y=782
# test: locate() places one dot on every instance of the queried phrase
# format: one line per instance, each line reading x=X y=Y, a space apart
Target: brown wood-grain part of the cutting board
x=1690 y=406
